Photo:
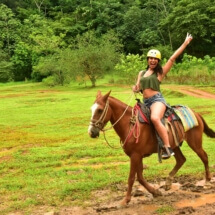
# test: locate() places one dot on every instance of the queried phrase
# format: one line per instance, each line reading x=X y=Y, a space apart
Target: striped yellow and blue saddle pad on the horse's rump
x=187 y=117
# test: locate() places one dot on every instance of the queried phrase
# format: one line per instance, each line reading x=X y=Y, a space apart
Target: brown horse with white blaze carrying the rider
x=107 y=108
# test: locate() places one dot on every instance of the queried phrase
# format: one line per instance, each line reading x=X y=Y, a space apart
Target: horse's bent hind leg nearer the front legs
x=180 y=160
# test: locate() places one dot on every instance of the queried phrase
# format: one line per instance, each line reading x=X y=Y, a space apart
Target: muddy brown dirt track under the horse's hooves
x=187 y=196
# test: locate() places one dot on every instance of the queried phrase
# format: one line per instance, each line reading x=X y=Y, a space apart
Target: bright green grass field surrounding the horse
x=47 y=157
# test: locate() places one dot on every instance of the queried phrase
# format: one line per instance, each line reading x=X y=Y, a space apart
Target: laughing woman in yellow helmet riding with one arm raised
x=149 y=83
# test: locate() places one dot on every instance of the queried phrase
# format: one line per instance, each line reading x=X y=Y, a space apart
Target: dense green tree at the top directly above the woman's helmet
x=140 y=26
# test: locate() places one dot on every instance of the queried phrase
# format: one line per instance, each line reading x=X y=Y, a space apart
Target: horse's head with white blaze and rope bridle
x=99 y=114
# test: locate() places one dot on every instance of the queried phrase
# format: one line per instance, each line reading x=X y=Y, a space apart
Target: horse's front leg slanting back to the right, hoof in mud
x=142 y=181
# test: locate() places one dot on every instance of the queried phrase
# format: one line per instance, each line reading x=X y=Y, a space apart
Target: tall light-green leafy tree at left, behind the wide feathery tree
x=44 y=43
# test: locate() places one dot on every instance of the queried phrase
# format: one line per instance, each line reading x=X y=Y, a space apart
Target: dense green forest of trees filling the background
x=63 y=40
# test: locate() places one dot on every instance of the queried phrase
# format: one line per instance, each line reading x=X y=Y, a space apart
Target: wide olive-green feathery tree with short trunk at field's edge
x=89 y=57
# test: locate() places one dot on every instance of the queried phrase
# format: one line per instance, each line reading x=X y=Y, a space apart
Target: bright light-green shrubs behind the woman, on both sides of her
x=191 y=70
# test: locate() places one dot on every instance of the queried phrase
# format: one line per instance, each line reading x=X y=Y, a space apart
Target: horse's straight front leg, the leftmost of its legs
x=134 y=162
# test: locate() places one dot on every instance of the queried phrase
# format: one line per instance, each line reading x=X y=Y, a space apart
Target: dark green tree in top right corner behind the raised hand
x=196 y=18
